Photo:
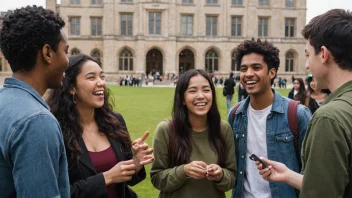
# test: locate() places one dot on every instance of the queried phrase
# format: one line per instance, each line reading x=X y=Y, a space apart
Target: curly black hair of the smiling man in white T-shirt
x=269 y=52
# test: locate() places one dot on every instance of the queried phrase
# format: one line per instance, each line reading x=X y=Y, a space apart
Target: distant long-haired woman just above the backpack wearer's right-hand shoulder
x=298 y=92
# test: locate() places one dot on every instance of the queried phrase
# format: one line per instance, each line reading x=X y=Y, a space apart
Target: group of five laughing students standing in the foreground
x=75 y=145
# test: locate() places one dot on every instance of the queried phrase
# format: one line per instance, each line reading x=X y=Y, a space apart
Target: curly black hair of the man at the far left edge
x=25 y=32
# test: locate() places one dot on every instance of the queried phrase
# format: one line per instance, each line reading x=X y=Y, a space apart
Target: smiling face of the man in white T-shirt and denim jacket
x=254 y=74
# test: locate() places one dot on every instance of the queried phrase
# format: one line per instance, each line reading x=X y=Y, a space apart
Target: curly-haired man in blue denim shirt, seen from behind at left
x=32 y=154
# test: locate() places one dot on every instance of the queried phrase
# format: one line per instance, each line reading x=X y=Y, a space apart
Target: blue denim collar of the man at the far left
x=19 y=84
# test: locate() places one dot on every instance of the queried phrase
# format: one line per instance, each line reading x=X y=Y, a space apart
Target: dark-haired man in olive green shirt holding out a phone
x=326 y=150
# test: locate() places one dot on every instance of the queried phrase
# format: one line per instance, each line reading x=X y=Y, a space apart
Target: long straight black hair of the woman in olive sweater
x=182 y=148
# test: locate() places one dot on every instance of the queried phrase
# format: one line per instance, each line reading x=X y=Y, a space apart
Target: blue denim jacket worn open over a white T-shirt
x=279 y=139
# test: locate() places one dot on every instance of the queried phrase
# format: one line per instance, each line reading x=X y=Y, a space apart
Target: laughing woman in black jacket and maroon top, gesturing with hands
x=101 y=162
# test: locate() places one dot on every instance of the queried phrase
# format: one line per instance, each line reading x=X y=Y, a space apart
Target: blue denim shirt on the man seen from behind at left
x=32 y=153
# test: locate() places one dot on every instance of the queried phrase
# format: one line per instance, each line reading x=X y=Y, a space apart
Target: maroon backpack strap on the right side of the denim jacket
x=293 y=124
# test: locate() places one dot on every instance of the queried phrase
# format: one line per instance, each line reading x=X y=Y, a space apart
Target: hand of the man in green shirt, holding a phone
x=276 y=171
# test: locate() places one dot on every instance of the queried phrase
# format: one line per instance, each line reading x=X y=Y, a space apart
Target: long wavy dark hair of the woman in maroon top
x=64 y=109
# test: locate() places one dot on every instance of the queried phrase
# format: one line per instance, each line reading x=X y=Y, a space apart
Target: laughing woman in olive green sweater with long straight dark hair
x=194 y=151
